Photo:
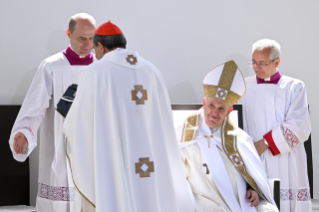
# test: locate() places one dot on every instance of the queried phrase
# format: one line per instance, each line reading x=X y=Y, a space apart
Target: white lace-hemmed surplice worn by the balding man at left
x=55 y=188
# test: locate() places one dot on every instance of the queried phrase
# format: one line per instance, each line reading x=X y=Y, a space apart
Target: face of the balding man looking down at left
x=81 y=38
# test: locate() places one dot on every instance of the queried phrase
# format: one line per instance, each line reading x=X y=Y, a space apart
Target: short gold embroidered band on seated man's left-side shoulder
x=190 y=127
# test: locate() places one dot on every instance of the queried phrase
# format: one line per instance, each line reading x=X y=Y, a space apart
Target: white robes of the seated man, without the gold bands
x=215 y=182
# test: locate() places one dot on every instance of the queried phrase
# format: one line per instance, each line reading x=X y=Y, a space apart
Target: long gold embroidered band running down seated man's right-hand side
x=229 y=143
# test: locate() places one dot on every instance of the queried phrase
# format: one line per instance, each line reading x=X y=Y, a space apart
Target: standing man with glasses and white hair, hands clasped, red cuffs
x=276 y=116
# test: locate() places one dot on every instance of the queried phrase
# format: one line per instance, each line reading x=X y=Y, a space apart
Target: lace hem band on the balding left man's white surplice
x=56 y=193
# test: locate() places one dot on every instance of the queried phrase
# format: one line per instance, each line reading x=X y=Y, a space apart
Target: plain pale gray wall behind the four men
x=184 y=39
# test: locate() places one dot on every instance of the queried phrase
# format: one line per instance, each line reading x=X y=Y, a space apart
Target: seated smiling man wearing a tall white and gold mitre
x=220 y=161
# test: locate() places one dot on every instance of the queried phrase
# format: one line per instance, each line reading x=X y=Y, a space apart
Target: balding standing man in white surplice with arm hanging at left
x=55 y=74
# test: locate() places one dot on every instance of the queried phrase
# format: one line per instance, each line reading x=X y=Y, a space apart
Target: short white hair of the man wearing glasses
x=268 y=44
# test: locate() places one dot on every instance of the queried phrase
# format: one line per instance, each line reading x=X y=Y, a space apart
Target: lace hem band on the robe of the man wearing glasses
x=302 y=194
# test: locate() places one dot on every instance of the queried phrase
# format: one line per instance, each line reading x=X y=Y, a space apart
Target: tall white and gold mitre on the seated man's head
x=225 y=82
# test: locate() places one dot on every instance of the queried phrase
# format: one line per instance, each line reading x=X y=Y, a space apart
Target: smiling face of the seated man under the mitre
x=215 y=112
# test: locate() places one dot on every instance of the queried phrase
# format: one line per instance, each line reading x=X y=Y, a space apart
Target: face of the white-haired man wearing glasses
x=263 y=57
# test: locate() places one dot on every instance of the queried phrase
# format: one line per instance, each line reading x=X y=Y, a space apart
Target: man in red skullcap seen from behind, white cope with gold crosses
x=120 y=134
